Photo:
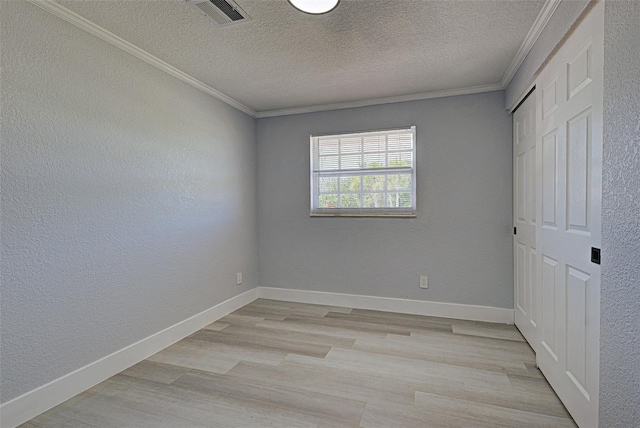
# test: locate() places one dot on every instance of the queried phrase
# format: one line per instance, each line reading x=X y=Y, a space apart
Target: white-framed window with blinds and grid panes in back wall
x=364 y=174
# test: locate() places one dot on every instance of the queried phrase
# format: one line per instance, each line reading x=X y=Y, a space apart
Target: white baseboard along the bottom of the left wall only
x=41 y=399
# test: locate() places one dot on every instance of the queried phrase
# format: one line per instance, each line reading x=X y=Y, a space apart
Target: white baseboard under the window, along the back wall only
x=389 y=304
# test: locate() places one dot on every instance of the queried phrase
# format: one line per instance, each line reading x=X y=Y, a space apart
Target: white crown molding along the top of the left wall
x=94 y=29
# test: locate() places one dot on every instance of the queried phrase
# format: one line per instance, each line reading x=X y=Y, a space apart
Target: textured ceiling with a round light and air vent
x=364 y=49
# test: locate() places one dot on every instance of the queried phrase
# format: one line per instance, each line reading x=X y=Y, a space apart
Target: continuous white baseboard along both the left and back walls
x=43 y=398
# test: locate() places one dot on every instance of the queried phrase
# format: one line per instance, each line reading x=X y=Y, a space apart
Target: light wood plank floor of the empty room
x=278 y=364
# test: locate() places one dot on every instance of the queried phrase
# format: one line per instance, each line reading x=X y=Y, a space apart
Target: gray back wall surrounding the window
x=461 y=239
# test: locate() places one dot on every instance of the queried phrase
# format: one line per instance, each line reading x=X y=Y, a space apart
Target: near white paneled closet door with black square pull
x=569 y=159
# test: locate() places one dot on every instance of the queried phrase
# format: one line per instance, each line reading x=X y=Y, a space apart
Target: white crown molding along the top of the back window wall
x=378 y=101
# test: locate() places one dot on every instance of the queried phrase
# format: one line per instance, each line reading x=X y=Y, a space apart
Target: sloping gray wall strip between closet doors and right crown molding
x=560 y=22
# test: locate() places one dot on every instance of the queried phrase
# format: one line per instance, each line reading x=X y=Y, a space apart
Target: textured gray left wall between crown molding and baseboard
x=128 y=199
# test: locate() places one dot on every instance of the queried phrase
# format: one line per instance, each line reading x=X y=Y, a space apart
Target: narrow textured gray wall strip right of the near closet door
x=620 y=304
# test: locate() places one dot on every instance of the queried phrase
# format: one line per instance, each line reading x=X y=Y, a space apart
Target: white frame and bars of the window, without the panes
x=406 y=212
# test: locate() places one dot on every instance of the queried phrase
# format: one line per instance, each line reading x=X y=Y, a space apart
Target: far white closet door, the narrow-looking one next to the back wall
x=524 y=215
